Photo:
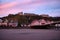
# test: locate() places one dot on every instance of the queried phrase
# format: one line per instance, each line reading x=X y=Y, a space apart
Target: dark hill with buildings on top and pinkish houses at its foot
x=27 y=20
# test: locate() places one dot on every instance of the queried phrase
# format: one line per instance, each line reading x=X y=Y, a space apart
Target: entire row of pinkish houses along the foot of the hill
x=12 y=23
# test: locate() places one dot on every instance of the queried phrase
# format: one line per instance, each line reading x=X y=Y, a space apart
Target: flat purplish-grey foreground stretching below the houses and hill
x=29 y=34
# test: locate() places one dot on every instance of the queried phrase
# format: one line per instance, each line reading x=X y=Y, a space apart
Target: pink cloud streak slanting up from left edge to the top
x=12 y=4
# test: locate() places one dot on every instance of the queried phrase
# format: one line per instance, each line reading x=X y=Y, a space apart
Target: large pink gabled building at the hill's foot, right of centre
x=40 y=22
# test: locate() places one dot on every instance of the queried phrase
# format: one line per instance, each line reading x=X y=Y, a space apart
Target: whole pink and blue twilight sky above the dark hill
x=50 y=7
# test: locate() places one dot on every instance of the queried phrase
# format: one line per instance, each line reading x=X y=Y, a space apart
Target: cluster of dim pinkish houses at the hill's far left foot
x=6 y=23
